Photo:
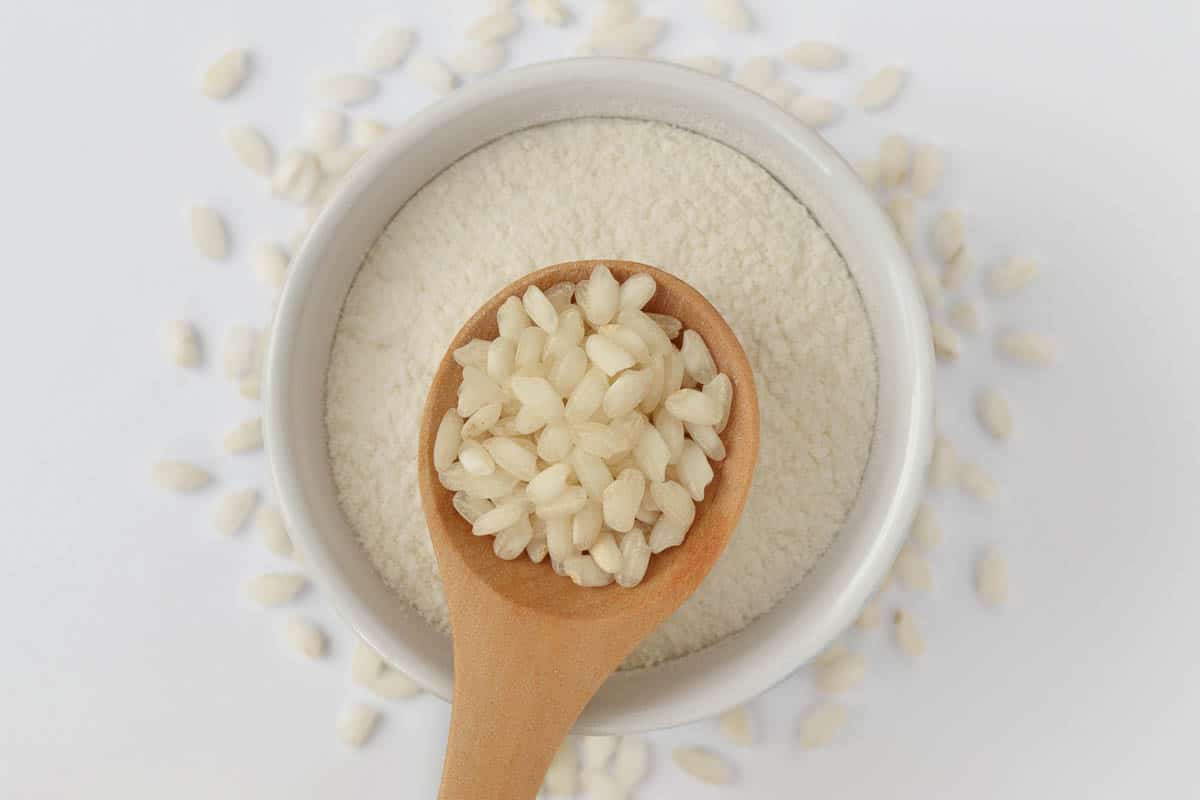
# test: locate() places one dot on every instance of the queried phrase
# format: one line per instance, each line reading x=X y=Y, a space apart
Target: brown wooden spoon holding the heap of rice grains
x=530 y=647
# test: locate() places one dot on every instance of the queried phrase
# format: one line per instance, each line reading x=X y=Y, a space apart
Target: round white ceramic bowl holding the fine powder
x=830 y=597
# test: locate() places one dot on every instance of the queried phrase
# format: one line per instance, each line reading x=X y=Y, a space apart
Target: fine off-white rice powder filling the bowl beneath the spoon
x=622 y=190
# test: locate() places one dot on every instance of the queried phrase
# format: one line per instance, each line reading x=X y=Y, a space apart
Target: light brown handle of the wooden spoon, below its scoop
x=521 y=682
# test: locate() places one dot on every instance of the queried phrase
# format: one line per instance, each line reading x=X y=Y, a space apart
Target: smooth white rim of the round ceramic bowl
x=869 y=221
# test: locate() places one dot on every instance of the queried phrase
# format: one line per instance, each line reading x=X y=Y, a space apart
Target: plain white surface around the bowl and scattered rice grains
x=131 y=666
